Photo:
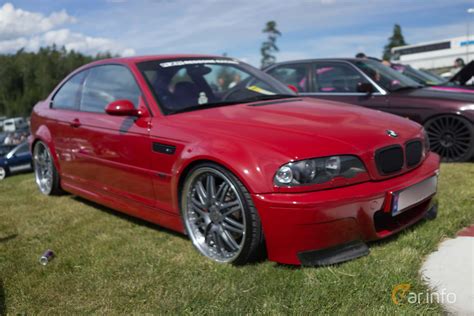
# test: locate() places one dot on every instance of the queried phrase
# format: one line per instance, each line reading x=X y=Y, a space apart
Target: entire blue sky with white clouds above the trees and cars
x=310 y=28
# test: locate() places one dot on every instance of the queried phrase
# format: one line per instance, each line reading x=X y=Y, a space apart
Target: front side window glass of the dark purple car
x=337 y=78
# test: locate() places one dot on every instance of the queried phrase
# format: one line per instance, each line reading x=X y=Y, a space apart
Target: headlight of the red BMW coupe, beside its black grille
x=318 y=170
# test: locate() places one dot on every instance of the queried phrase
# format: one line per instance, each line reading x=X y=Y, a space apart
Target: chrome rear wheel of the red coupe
x=43 y=165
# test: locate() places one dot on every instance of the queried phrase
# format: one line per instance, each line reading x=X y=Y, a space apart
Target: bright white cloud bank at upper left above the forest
x=32 y=30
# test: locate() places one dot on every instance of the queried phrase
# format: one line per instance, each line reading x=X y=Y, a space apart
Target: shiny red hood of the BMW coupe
x=302 y=127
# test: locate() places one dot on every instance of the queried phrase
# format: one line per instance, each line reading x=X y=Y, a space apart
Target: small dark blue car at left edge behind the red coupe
x=16 y=160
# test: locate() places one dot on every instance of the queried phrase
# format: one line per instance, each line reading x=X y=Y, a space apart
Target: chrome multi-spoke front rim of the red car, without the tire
x=214 y=216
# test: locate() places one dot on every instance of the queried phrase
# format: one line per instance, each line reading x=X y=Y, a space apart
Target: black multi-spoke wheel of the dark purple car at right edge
x=452 y=137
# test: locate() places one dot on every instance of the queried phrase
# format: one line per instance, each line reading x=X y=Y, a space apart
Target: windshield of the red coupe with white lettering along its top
x=190 y=84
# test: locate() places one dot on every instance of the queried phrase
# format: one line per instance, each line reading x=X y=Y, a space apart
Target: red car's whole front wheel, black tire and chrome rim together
x=214 y=217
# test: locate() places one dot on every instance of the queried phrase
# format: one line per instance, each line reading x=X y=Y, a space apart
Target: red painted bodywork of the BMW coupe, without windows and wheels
x=110 y=160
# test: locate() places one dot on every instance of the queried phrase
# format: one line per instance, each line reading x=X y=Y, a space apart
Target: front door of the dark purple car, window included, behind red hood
x=341 y=81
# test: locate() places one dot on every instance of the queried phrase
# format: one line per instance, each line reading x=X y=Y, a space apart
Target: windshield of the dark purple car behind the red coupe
x=385 y=76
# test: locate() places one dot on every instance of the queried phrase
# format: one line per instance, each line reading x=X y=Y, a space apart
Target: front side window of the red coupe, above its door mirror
x=105 y=84
